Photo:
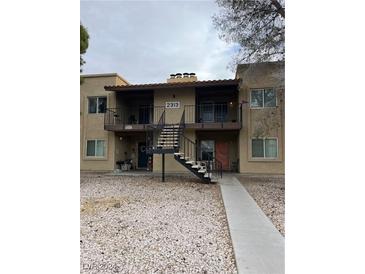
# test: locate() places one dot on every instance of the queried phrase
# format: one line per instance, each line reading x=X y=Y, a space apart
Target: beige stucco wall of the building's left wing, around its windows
x=92 y=125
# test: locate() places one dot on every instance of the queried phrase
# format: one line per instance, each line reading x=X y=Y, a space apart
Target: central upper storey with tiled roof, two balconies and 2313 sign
x=206 y=105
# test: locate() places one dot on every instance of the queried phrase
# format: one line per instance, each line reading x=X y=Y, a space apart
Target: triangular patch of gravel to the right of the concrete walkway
x=269 y=194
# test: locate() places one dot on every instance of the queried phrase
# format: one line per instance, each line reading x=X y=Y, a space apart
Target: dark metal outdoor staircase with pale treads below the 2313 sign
x=170 y=139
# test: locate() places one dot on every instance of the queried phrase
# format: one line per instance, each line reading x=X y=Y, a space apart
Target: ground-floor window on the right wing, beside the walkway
x=265 y=148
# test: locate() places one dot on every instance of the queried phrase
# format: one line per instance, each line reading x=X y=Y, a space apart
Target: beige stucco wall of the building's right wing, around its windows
x=264 y=75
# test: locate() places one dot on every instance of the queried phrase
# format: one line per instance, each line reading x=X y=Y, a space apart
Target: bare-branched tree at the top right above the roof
x=257 y=26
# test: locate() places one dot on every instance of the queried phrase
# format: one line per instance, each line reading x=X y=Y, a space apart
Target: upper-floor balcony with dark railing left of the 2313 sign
x=132 y=118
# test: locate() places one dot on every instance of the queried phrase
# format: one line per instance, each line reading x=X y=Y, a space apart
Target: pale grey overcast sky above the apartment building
x=145 y=41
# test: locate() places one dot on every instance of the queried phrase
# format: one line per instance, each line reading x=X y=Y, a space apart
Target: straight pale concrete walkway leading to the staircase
x=258 y=245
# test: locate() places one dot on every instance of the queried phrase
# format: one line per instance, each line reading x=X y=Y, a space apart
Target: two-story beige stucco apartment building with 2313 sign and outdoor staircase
x=237 y=123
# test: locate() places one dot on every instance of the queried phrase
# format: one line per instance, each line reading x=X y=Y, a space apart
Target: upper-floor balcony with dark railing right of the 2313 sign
x=212 y=116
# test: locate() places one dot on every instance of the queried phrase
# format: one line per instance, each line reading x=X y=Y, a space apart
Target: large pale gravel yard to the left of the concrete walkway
x=140 y=225
